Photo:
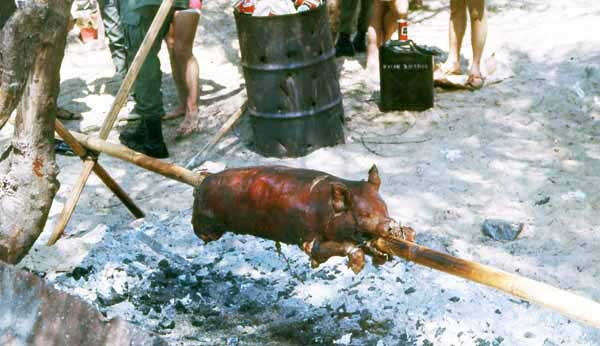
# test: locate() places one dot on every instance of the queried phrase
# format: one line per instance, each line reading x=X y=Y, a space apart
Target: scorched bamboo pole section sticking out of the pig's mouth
x=569 y=304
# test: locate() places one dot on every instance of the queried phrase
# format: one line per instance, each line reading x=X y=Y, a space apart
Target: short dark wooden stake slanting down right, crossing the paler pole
x=99 y=170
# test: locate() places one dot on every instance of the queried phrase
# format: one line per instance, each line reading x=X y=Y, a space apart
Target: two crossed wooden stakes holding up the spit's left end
x=90 y=161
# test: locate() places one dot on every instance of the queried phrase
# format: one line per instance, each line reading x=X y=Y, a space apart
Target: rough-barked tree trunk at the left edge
x=33 y=43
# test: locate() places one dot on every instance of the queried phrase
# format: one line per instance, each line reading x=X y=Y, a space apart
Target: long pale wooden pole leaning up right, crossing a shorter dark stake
x=120 y=100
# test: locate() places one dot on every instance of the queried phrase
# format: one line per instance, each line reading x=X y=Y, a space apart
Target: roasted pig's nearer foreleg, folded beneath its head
x=321 y=252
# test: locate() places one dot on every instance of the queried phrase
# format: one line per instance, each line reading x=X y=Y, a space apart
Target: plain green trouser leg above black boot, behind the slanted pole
x=147 y=87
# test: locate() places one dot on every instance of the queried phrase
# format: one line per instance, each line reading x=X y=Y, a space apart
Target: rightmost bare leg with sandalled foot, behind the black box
x=478 y=37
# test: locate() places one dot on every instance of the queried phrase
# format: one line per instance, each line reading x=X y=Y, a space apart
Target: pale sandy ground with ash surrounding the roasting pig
x=493 y=153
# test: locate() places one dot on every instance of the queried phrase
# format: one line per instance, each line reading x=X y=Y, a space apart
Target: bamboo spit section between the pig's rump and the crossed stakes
x=119 y=151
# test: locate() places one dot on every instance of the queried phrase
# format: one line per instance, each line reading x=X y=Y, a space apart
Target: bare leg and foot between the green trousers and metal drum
x=185 y=24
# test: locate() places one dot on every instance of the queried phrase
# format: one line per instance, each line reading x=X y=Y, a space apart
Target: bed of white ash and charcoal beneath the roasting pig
x=239 y=291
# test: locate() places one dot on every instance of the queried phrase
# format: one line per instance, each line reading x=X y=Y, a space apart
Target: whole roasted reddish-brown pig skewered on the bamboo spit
x=323 y=214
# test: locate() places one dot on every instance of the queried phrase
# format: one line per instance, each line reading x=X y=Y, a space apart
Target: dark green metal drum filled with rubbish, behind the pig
x=294 y=97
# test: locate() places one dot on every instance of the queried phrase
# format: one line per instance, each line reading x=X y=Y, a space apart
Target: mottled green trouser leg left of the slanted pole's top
x=109 y=9
